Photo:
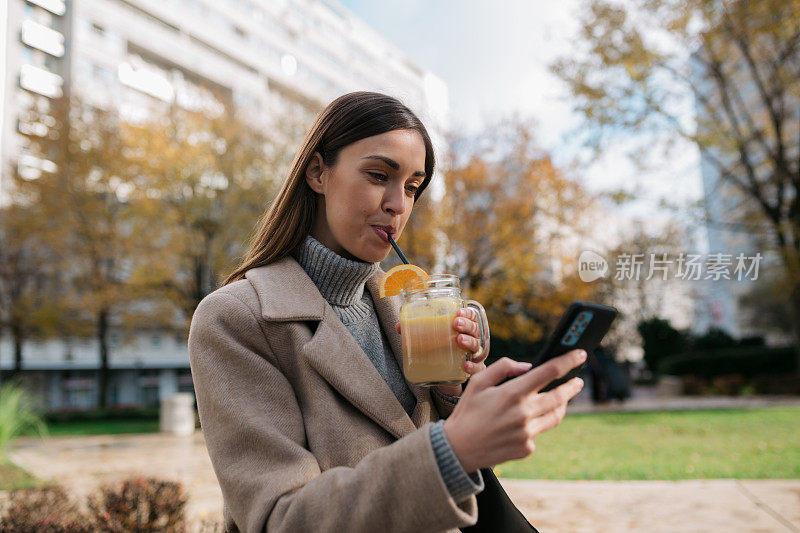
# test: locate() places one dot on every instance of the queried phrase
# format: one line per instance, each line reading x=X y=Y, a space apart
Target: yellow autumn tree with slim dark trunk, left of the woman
x=85 y=203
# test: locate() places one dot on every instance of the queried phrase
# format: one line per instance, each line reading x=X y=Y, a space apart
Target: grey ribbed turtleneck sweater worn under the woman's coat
x=342 y=283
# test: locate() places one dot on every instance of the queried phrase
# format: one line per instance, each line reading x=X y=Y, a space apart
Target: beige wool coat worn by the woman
x=303 y=432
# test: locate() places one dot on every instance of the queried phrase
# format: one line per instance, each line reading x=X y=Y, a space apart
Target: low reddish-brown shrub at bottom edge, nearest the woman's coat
x=140 y=504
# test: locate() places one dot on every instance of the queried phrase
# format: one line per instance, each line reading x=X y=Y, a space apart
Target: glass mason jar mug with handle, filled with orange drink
x=431 y=355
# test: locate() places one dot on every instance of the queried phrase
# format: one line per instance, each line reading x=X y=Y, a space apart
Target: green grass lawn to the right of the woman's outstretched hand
x=754 y=444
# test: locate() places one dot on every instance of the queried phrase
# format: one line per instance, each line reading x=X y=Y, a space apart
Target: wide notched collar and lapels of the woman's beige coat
x=287 y=294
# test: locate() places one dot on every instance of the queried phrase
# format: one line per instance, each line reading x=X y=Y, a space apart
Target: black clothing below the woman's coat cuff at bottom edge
x=496 y=511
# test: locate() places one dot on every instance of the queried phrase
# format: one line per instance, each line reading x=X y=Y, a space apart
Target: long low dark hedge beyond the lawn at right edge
x=747 y=361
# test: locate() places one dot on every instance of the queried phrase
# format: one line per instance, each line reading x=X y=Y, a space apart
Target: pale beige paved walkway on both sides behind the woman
x=82 y=463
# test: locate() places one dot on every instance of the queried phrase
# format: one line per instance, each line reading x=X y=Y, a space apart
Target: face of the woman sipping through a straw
x=368 y=193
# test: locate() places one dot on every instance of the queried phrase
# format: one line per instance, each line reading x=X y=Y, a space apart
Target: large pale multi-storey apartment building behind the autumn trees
x=266 y=56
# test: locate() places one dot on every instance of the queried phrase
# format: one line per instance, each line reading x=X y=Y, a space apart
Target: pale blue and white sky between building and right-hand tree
x=495 y=57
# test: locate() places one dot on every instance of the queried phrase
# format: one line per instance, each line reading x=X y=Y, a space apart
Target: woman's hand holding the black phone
x=492 y=424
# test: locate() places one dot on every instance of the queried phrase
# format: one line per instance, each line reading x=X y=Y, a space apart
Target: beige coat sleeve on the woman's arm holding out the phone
x=254 y=432
